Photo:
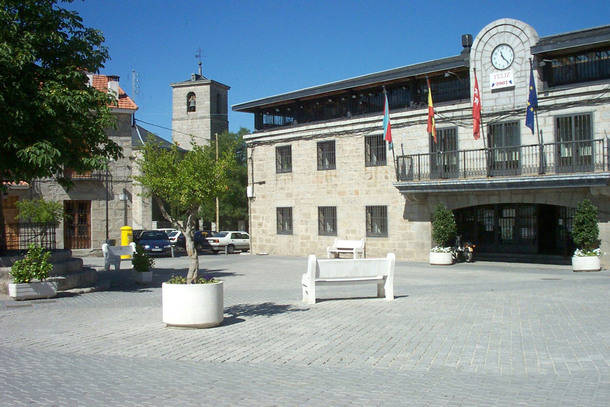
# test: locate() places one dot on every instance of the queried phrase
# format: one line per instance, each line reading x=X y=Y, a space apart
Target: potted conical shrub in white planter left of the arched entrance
x=444 y=230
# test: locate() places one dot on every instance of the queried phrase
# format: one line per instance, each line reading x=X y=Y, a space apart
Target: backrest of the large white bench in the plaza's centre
x=345 y=268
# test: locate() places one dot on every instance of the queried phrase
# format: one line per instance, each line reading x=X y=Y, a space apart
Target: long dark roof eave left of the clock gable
x=438 y=65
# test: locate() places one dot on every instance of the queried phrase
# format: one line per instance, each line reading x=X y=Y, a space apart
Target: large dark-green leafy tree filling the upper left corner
x=50 y=118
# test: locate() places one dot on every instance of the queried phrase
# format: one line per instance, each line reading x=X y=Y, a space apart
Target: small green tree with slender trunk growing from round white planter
x=181 y=182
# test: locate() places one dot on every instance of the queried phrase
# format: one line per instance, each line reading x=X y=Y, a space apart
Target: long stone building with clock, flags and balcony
x=320 y=168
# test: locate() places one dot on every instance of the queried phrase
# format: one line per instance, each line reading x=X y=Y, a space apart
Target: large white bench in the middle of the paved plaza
x=349 y=271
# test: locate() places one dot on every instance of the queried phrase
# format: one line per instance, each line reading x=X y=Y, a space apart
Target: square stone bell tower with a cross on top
x=199 y=110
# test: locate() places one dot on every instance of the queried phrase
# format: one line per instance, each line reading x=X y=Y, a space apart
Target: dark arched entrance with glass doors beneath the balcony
x=526 y=229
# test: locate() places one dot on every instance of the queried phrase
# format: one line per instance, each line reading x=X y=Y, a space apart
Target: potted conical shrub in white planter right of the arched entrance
x=585 y=234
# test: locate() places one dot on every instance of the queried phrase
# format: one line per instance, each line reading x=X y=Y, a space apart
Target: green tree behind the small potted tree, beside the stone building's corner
x=233 y=204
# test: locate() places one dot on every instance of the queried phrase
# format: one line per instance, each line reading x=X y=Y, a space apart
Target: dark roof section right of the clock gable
x=591 y=37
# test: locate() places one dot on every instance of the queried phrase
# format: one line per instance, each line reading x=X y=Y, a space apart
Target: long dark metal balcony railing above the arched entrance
x=550 y=158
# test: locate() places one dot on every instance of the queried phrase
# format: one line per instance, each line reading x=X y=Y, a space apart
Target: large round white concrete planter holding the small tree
x=193 y=305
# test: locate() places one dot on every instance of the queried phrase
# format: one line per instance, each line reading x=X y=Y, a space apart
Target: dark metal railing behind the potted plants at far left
x=18 y=236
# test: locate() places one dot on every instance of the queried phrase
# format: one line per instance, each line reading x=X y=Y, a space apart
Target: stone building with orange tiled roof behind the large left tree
x=100 y=202
